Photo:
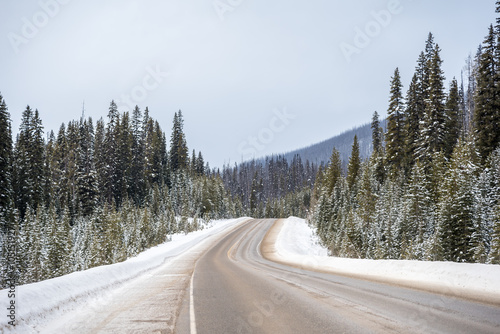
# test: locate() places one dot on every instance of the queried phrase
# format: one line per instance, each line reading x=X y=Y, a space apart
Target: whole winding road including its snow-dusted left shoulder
x=226 y=284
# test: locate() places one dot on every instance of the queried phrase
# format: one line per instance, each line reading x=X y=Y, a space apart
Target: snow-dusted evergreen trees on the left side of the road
x=98 y=194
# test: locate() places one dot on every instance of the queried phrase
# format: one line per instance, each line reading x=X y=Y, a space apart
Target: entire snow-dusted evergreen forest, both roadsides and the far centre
x=97 y=193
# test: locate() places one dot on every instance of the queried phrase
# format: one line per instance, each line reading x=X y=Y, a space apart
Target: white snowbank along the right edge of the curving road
x=297 y=244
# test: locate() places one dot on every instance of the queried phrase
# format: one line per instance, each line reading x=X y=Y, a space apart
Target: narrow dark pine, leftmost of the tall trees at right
x=395 y=137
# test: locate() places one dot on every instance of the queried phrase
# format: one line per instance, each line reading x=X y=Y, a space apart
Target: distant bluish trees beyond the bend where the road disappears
x=271 y=187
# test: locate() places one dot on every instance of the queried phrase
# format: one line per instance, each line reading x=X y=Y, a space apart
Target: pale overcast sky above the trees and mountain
x=251 y=77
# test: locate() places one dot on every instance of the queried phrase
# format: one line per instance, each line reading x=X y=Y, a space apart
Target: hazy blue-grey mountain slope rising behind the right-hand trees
x=321 y=152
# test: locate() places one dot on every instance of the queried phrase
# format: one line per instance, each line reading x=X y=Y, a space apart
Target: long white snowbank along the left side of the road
x=38 y=301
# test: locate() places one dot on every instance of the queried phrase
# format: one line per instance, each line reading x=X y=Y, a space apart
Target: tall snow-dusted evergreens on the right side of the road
x=431 y=188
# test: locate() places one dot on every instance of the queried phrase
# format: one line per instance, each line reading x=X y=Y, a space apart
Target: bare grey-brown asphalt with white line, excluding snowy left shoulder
x=234 y=289
